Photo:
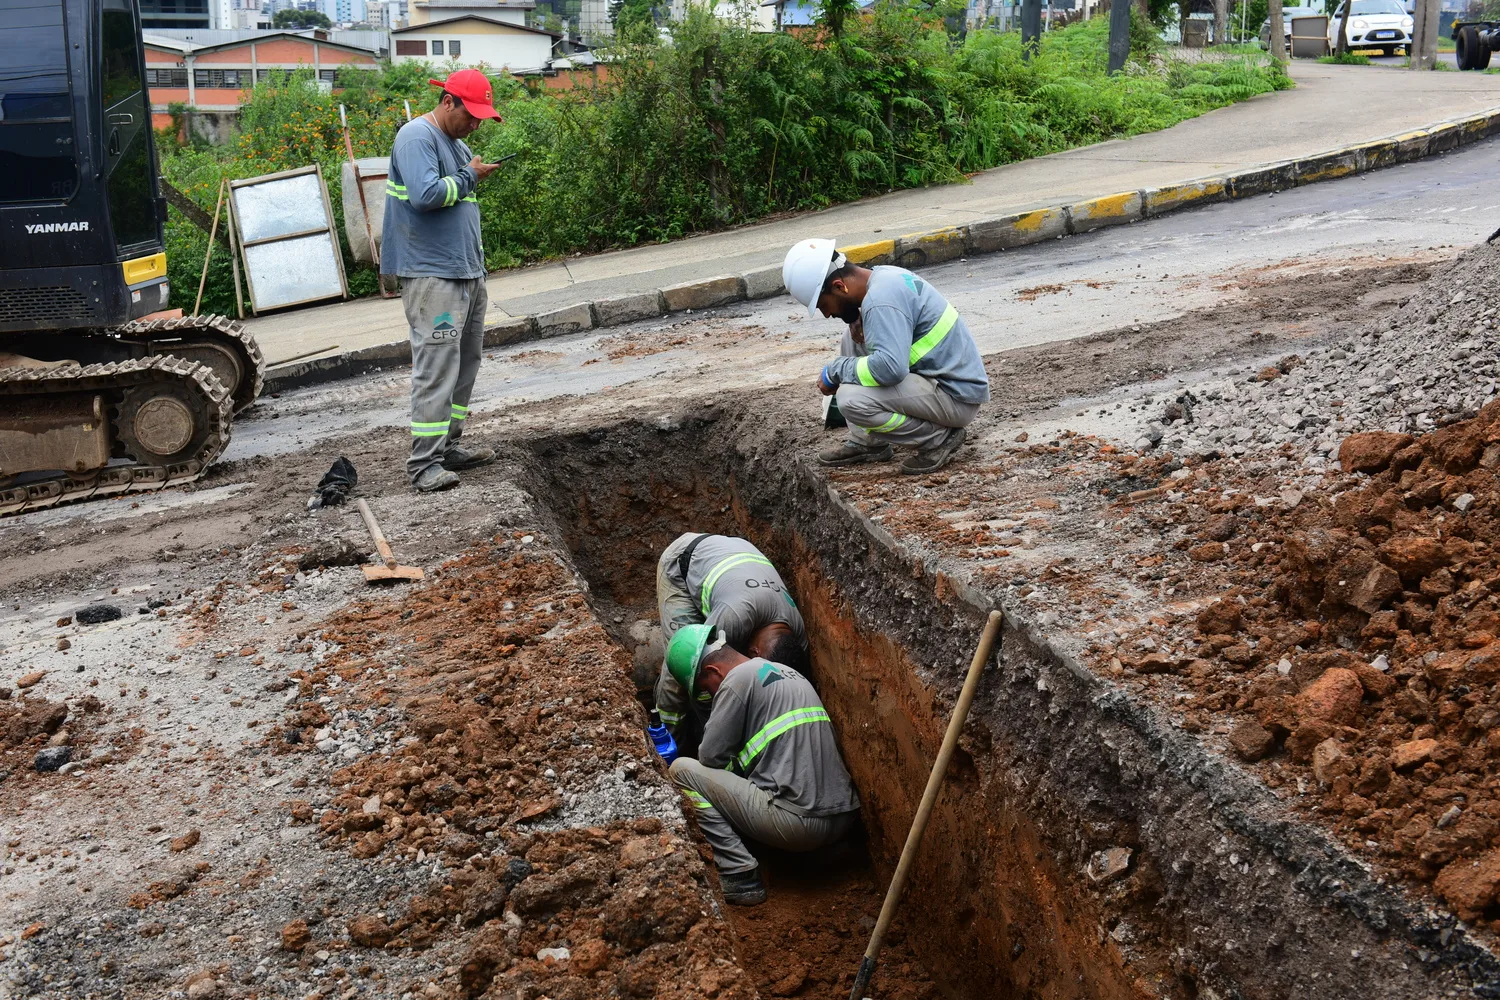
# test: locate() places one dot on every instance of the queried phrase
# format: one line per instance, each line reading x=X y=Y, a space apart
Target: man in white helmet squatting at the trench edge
x=908 y=371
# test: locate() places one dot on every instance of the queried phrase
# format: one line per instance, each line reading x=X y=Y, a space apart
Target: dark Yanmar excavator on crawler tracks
x=103 y=392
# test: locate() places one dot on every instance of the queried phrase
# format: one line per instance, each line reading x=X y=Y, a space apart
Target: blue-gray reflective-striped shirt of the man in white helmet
x=910 y=328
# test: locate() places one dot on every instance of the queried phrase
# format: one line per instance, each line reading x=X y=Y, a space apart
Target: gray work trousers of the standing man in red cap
x=448 y=340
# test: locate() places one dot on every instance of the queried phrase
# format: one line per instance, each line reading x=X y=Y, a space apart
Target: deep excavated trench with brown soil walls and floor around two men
x=989 y=914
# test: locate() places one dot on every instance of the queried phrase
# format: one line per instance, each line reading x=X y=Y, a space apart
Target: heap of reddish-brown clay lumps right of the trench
x=1354 y=653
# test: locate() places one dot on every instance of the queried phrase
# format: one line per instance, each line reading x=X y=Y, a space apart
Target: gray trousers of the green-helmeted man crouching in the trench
x=725 y=803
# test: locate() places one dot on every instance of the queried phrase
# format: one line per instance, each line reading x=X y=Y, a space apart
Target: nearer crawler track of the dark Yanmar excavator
x=191 y=386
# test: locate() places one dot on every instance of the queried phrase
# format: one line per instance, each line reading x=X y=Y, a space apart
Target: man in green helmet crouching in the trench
x=769 y=767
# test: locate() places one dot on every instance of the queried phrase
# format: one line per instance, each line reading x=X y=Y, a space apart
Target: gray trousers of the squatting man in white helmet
x=913 y=413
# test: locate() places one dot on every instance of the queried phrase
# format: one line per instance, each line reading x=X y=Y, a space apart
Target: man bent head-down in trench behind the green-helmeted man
x=728 y=584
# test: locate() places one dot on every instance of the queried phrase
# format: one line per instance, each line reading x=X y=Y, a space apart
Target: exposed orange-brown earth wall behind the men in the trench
x=986 y=923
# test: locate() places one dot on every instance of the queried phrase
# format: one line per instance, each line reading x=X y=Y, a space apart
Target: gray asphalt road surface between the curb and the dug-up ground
x=1076 y=287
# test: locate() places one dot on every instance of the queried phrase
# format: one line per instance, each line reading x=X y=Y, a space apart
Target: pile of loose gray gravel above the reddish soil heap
x=1429 y=364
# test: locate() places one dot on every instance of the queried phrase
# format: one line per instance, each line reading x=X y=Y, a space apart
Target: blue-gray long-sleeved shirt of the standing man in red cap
x=431 y=226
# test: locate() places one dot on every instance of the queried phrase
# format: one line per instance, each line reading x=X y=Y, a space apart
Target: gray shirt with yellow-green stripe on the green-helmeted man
x=772 y=728
